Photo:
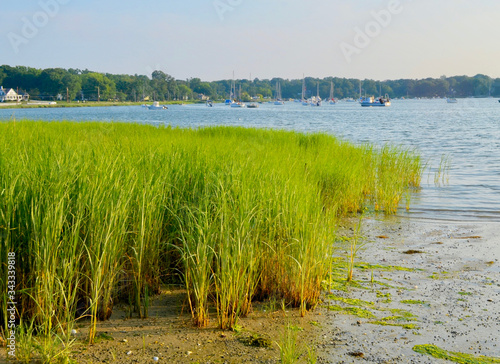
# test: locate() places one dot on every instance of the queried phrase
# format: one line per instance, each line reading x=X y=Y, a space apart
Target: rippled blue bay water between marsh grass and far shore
x=468 y=133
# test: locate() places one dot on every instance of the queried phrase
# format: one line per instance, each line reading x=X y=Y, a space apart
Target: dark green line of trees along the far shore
x=75 y=84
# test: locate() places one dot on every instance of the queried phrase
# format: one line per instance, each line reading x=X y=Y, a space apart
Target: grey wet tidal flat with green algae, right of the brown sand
x=459 y=281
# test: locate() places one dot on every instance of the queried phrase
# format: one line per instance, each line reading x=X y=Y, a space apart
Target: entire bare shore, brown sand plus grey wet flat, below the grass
x=458 y=282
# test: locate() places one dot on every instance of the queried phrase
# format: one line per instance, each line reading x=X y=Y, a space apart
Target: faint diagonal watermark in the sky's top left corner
x=32 y=25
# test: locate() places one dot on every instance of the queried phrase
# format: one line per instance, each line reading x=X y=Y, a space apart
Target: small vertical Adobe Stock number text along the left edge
x=11 y=305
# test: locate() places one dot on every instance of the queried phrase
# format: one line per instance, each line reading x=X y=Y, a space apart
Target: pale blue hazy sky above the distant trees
x=209 y=39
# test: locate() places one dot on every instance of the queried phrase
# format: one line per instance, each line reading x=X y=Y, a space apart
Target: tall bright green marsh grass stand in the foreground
x=101 y=213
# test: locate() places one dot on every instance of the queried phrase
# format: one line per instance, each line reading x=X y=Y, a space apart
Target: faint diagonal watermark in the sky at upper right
x=373 y=28
